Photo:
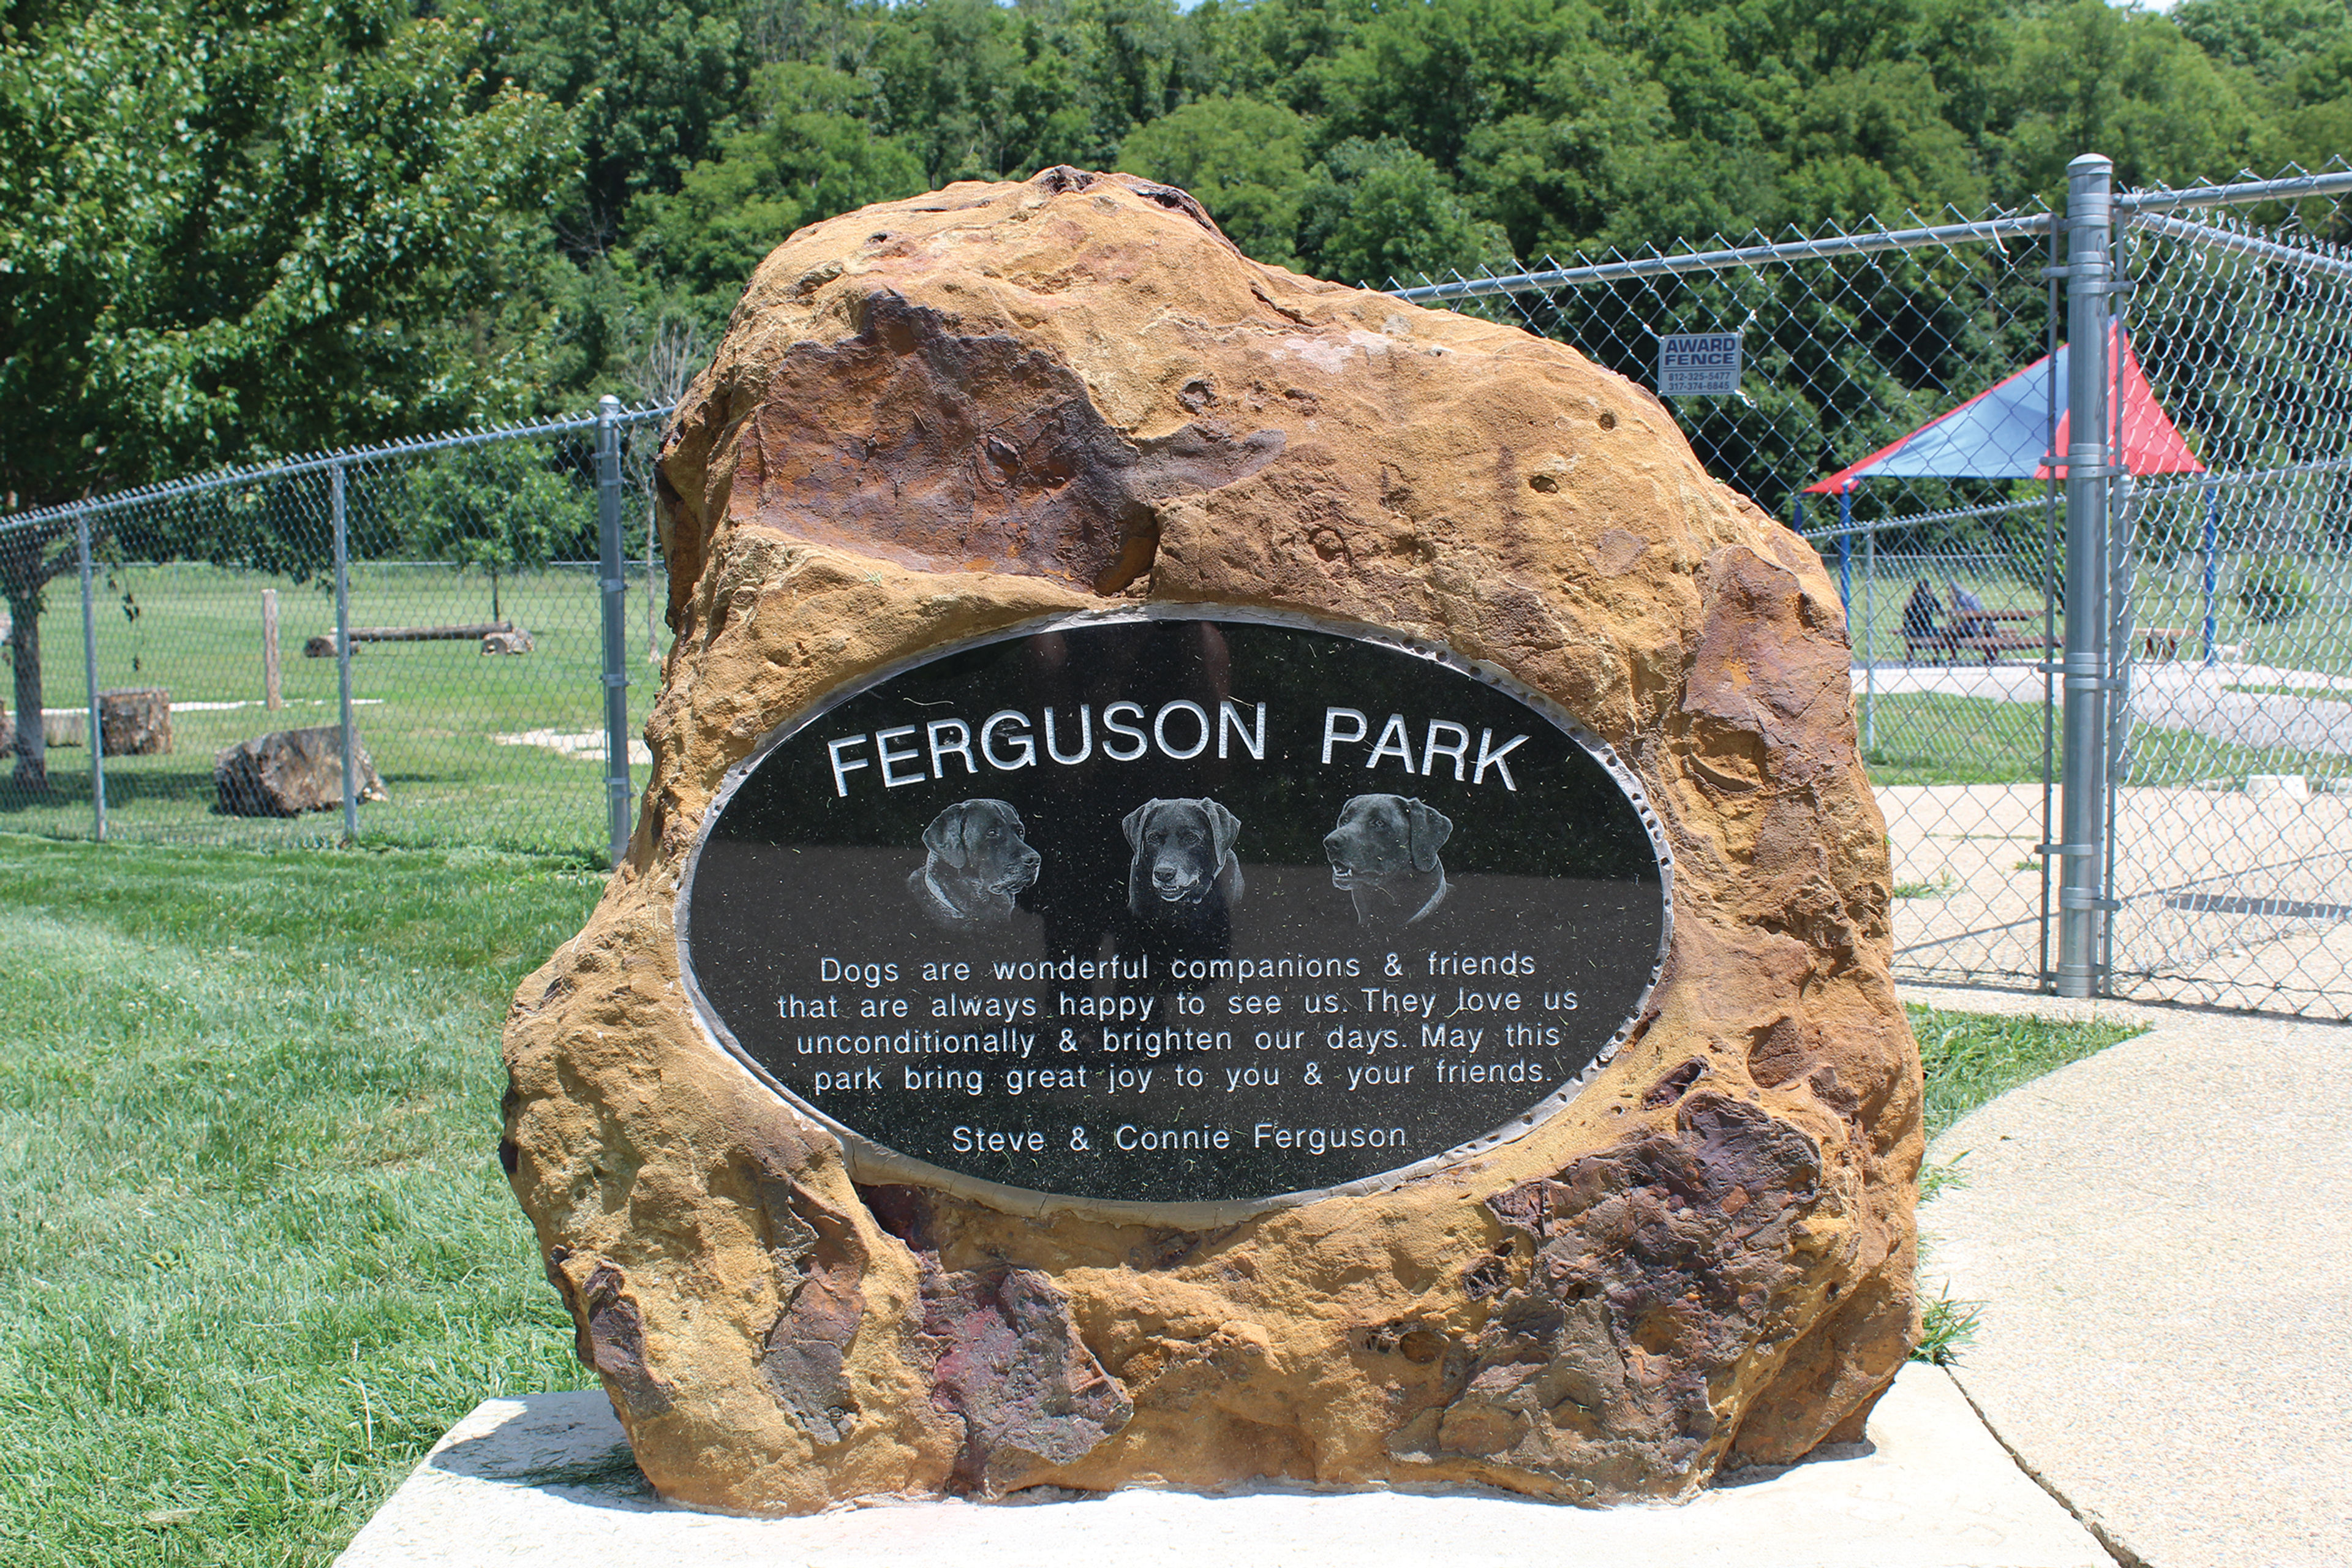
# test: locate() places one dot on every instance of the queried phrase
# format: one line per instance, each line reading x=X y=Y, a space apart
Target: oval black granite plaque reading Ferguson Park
x=1161 y=911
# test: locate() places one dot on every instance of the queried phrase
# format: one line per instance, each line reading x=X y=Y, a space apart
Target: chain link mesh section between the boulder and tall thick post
x=1850 y=342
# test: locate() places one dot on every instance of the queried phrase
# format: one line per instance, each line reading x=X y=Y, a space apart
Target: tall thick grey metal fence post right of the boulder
x=2090 y=215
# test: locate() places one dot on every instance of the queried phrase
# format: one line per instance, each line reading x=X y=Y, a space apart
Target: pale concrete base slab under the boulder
x=549 y=1480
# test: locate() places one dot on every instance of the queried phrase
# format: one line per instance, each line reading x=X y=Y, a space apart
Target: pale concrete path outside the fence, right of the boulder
x=2163 y=1245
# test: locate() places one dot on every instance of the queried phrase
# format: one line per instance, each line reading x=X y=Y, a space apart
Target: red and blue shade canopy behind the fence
x=2000 y=434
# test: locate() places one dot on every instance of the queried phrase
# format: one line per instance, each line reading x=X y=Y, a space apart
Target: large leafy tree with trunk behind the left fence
x=241 y=229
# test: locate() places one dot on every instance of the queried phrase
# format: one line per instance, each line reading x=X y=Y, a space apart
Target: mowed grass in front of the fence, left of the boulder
x=255 y=1245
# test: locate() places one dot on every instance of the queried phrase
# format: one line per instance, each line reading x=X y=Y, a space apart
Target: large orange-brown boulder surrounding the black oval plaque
x=991 y=403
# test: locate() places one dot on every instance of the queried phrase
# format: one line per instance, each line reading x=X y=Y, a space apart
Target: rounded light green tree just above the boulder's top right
x=1243 y=159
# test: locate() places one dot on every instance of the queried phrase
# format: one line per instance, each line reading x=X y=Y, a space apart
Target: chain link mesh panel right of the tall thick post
x=2233 y=615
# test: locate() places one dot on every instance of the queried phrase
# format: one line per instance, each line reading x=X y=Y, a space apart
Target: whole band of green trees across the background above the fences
x=236 y=229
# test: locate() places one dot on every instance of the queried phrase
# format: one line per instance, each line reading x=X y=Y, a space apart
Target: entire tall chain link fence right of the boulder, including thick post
x=2144 y=796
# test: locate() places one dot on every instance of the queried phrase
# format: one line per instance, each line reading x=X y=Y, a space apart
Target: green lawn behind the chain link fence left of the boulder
x=427 y=711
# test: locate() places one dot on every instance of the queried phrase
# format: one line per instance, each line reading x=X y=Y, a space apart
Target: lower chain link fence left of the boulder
x=182 y=671
